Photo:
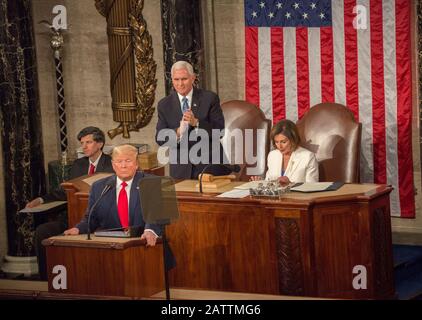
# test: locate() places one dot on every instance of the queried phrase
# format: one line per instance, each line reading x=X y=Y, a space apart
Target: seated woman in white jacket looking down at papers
x=289 y=162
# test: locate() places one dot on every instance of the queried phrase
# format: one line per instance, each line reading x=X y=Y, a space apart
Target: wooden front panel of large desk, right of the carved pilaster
x=342 y=242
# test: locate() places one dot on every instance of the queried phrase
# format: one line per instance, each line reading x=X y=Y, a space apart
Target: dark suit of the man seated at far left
x=50 y=229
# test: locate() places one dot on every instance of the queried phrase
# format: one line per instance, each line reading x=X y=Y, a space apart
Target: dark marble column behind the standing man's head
x=182 y=36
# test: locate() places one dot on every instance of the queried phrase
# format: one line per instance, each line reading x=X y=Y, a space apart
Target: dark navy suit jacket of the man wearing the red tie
x=105 y=214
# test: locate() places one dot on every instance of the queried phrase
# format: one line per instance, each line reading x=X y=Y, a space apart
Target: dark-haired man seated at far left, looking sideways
x=92 y=140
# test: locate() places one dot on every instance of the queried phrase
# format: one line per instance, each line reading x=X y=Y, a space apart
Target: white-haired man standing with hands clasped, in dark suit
x=182 y=113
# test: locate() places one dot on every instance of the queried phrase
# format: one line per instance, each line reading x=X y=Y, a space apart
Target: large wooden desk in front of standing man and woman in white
x=302 y=244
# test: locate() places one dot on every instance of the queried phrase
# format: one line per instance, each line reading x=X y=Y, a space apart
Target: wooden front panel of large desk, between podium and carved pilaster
x=226 y=249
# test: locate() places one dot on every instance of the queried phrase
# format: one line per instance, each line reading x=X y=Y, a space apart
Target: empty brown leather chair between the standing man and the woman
x=240 y=115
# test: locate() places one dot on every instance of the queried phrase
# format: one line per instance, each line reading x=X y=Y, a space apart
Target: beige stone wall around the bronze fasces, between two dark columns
x=86 y=73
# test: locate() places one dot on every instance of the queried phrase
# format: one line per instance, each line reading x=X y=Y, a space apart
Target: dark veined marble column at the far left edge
x=24 y=175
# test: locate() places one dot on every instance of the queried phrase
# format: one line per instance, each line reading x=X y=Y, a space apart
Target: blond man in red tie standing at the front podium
x=114 y=201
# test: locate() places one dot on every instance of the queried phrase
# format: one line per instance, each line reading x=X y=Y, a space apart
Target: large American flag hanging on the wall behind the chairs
x=353 y=52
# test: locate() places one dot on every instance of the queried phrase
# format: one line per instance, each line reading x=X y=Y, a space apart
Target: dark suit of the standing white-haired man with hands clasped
x=206 y=108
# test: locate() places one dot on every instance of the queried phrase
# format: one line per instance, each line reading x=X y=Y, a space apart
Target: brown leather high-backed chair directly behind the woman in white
x=331 y=132
